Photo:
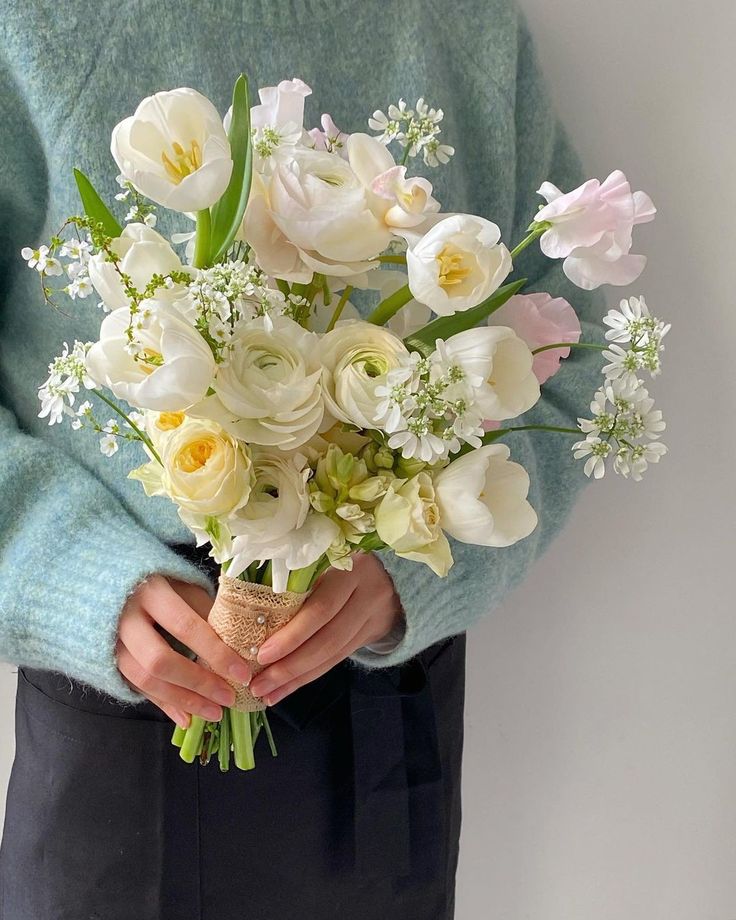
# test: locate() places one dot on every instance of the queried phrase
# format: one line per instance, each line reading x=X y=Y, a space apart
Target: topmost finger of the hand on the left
x=176 y=616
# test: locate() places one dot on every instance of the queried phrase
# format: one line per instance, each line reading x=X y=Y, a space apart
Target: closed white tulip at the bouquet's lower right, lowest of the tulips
x=482 y=497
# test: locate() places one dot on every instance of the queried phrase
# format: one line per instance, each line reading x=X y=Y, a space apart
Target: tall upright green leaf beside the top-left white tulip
x=227 y=214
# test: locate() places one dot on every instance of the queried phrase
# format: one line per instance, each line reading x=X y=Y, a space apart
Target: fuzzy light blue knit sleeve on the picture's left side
x=70 y=554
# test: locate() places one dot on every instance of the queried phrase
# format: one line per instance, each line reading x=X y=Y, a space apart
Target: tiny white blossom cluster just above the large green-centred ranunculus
x=229 y=293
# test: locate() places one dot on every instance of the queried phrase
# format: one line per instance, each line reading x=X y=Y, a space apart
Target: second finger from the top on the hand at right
x=328 y=644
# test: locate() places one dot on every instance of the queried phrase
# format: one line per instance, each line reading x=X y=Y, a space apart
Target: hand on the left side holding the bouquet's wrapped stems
x=175 y=683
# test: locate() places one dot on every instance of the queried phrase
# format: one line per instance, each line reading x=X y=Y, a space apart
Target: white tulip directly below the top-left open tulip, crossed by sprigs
x=143 y=253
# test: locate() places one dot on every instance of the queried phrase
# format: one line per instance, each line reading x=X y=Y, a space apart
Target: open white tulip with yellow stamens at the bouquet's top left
x=174 y=150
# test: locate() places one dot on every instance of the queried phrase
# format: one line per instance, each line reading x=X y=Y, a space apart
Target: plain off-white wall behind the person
x=600 y=775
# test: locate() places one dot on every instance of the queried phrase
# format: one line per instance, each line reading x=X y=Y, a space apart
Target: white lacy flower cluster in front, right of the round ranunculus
x=428 y=407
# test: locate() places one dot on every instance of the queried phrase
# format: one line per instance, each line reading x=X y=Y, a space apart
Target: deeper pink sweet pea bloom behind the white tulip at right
x=540 y=319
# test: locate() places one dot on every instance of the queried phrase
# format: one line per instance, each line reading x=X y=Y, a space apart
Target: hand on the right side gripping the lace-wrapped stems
x=345 y=611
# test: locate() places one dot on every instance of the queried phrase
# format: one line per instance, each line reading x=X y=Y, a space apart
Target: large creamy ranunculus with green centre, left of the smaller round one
x=268 y=391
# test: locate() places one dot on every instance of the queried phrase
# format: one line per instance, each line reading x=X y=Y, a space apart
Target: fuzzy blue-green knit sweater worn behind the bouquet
x=76 y=536
